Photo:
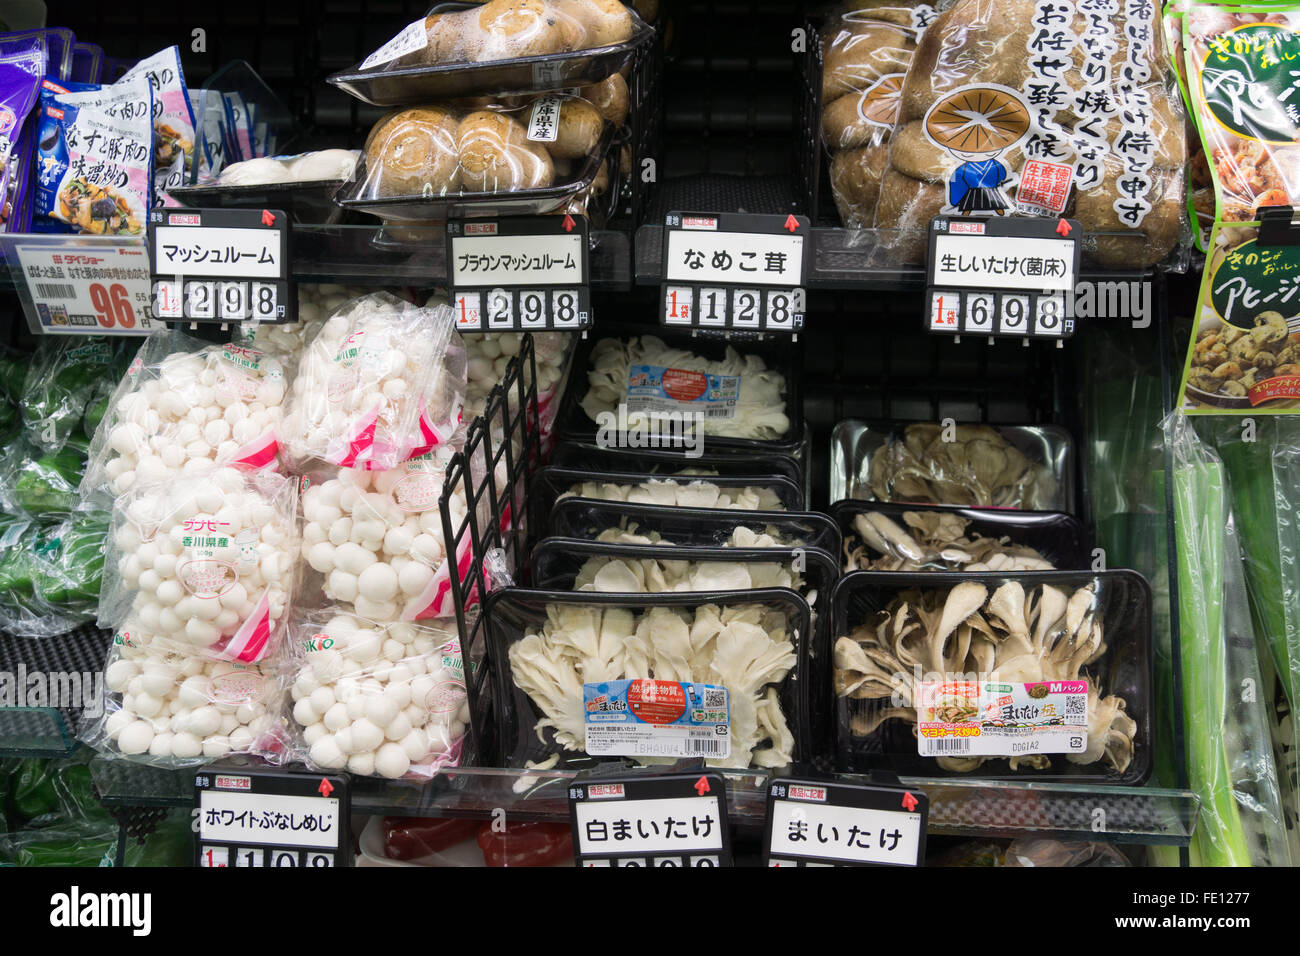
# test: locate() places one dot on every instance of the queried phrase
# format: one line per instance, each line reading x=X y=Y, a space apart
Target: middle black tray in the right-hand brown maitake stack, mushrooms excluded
x=1059 y=538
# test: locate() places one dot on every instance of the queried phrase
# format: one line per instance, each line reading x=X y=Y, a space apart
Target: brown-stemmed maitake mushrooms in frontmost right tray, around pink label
x=1006 y=637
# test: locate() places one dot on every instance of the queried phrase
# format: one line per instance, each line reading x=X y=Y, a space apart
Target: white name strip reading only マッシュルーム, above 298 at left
x=220 y=252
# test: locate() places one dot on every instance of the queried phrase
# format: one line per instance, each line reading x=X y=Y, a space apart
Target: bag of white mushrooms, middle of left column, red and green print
x=205 y=565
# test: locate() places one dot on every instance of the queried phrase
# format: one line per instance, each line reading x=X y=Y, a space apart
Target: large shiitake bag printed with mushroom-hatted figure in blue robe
x=1041 y=109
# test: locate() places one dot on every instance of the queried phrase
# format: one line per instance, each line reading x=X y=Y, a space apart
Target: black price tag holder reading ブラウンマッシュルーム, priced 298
x=525 y=274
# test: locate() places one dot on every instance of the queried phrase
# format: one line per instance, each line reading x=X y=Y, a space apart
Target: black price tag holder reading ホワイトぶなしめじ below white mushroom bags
x=267 y=817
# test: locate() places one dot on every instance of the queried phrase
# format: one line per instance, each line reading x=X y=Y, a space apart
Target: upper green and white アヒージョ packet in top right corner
x=1242 y=103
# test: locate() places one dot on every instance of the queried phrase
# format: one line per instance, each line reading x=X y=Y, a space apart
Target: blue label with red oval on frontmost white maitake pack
x=657 y=719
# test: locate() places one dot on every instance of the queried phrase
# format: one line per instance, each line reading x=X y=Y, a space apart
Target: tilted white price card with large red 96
x=83 y=285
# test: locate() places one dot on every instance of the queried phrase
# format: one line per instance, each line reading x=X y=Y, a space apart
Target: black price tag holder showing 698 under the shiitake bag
x=1003 y=276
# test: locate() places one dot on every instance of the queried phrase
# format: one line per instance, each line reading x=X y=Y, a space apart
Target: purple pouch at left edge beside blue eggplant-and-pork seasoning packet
x=23 y=64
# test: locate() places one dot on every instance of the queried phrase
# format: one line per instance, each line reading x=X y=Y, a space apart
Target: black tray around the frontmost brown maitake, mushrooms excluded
x=1125 y=669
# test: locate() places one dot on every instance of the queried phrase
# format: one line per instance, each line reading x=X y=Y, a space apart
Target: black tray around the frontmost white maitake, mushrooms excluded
x=513 y=612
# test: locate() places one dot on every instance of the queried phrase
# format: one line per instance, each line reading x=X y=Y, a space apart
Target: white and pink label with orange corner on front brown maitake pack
x=991 y=719
